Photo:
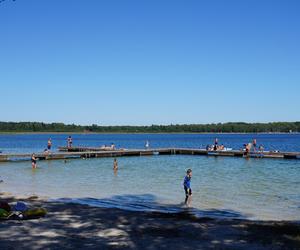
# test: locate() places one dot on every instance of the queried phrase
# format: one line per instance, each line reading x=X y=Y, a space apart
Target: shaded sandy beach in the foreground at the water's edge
x=74 y=226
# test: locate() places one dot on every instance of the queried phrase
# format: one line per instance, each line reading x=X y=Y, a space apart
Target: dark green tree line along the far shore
x=229 y=127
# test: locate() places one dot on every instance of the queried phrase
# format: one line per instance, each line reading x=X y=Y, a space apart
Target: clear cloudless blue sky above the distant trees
x=149 y=62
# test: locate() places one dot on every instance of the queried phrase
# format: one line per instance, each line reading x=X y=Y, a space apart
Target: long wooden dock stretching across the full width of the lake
x=145 y=152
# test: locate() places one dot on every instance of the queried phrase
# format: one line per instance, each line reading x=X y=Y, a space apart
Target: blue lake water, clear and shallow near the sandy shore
x=229 y=187
